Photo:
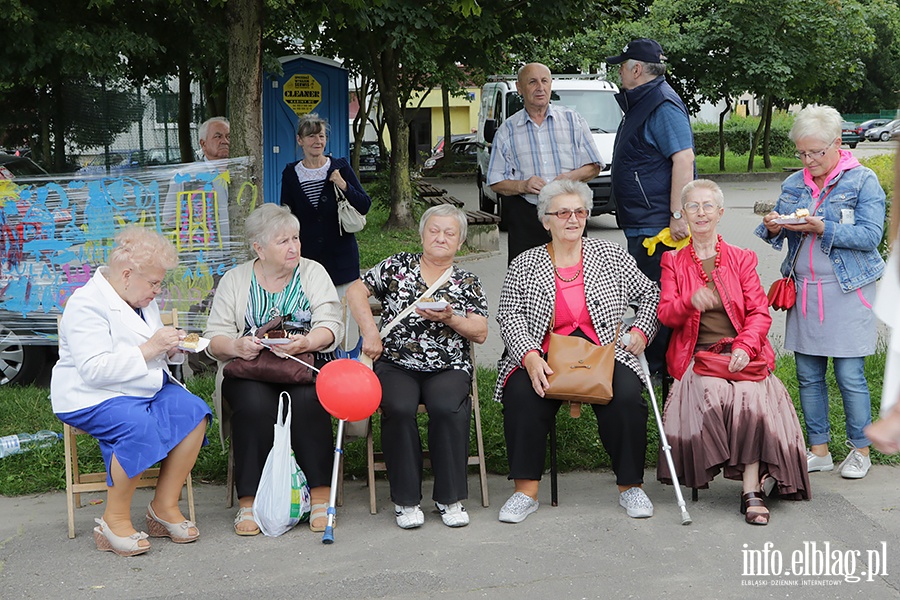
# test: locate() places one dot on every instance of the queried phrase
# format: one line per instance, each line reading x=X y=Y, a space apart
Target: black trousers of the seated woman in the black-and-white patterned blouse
x=445 y=395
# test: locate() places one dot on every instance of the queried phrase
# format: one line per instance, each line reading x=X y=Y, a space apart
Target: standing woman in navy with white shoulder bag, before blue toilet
x=308 y=188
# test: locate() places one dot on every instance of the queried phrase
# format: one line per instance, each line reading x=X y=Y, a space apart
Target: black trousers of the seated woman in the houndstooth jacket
x=621 y=424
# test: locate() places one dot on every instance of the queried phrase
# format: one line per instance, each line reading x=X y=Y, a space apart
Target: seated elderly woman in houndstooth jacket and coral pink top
x=585 y=292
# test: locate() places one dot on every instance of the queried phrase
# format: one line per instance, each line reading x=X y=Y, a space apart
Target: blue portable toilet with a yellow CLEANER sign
x=308 y=84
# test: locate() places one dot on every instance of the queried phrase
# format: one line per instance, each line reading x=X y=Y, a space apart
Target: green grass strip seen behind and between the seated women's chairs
x=27 y=409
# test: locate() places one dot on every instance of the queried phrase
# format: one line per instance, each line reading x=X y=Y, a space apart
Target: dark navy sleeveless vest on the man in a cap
x=641 y=176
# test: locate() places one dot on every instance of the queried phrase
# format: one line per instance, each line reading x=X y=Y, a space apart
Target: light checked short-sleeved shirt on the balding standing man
x=523 y=149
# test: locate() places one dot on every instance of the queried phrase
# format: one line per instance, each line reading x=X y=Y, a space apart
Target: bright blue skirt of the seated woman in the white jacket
x=141 y=431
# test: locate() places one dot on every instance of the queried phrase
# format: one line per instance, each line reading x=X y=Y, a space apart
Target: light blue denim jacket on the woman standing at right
x=851 y=247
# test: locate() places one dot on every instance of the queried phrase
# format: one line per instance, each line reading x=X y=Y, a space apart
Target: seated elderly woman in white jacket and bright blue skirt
x=112 y=381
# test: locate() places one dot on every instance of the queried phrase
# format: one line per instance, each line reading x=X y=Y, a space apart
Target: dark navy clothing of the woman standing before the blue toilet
x=320 y=232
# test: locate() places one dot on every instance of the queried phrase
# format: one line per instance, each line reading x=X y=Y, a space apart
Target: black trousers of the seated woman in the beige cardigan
x=254 y=409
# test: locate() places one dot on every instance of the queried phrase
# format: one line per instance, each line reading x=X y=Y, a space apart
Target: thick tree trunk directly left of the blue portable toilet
x=245 y=21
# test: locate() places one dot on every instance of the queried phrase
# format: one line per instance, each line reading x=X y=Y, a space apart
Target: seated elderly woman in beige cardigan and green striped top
x=277 y=283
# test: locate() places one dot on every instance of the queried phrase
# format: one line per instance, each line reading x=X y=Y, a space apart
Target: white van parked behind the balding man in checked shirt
x=591 y=96
